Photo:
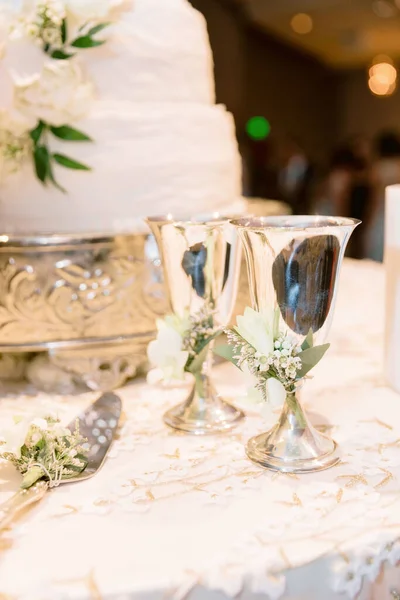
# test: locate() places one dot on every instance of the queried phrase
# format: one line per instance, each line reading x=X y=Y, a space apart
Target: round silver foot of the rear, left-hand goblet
x=204 y=412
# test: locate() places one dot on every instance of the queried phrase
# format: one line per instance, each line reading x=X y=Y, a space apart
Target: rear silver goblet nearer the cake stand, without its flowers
x=201 y=263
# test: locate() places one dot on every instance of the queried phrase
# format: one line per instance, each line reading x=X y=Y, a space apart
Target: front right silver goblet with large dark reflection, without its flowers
x=293 y=265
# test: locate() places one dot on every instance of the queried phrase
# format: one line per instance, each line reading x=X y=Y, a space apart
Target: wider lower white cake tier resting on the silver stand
x=145 y=159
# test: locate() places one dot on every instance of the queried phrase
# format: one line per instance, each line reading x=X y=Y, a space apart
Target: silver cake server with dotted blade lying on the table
x=98 y=424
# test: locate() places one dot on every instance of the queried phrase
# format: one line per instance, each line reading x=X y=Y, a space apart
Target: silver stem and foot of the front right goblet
x=293 y=445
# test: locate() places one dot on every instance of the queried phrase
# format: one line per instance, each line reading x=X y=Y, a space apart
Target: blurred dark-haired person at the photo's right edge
x=386 y=171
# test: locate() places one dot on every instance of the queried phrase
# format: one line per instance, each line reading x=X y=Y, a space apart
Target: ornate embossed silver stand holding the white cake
x=77 y=308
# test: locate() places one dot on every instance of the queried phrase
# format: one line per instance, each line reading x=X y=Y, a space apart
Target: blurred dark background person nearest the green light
x=295 y=177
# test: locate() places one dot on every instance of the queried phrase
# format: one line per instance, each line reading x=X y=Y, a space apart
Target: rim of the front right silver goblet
x=293 y=222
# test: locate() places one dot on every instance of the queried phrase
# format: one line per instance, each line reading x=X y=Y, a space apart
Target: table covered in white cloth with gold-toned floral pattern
x=172 y=516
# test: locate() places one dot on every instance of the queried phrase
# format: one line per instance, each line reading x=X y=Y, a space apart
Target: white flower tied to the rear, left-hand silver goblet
x=166 y=355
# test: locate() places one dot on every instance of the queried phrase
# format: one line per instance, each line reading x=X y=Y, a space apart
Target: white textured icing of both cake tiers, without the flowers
x=160 y=145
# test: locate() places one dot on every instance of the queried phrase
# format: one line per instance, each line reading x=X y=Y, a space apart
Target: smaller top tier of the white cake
x=157 y=52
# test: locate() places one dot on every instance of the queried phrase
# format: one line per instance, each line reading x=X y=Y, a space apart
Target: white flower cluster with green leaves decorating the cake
x=41 y=79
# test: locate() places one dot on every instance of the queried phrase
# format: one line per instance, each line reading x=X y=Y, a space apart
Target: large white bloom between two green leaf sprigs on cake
x=57 y=96
